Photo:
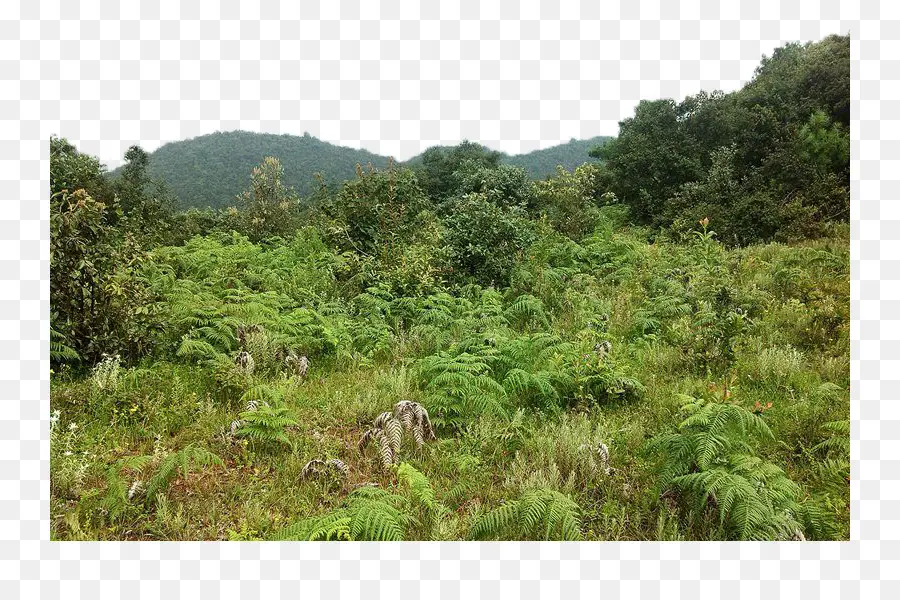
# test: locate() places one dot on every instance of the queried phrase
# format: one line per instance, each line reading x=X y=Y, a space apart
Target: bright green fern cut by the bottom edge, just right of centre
x=539 y=514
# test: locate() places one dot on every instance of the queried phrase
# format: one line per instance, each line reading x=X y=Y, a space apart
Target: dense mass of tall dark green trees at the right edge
x=785 y=172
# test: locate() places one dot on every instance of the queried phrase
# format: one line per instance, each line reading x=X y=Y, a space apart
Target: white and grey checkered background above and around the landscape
x=396 y=77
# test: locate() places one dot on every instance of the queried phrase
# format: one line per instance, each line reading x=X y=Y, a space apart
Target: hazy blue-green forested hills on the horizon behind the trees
x=210 y=170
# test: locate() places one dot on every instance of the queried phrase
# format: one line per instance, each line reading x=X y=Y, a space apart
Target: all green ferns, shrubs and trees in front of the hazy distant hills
x=651 y=345
